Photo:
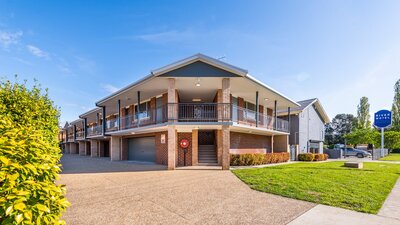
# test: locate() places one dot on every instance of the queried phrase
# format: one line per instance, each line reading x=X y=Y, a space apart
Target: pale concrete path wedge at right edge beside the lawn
x=391 y=207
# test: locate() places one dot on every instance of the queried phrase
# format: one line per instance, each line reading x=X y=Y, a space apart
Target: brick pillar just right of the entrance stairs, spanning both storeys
x=226 y=92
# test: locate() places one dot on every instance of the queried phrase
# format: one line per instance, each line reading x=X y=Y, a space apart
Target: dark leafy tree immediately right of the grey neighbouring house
x=341 y=124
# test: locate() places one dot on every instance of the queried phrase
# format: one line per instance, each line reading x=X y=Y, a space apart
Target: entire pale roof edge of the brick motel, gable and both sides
x=232 y=70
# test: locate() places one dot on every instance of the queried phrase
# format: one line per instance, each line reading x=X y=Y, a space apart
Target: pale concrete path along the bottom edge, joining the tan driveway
x=328 y=215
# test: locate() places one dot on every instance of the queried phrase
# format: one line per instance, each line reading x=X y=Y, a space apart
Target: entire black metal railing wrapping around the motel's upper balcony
x=192 y=112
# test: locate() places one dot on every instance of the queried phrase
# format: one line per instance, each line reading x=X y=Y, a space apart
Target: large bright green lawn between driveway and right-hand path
x=328 y=183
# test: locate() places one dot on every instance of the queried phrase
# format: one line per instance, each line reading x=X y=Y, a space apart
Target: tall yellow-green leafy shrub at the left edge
x=29 y=156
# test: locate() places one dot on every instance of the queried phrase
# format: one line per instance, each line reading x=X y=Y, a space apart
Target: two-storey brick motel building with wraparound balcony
x=192 y=112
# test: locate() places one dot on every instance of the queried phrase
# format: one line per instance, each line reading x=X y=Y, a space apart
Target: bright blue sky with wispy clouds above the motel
x=337 y=51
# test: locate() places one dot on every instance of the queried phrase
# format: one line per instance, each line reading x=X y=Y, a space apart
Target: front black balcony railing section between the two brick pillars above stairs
x=199 y=112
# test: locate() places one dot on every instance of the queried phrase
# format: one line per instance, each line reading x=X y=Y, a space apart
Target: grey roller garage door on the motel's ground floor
x=142 y=149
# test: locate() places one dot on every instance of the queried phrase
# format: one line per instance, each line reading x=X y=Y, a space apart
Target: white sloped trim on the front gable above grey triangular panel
x=200 y=57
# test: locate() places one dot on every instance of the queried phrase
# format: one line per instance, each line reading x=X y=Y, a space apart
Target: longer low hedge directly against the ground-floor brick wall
x=258 y=158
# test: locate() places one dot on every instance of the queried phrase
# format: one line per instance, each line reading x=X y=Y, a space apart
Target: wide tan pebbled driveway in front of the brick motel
x=104 y=192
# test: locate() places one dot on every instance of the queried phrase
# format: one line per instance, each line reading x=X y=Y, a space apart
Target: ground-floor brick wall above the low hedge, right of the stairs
x=249 y=143
